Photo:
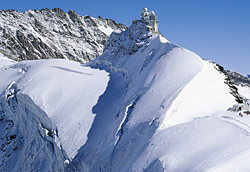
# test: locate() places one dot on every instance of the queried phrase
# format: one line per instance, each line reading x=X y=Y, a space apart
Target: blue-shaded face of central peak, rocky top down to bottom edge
x=153 y=77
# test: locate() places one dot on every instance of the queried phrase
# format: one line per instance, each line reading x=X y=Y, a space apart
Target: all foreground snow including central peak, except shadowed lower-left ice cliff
x=144 y=105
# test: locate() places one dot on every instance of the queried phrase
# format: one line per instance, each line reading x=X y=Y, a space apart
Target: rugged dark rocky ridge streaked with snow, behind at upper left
x=53 y=33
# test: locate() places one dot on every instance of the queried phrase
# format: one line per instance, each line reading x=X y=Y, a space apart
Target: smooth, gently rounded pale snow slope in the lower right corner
x=204 y=144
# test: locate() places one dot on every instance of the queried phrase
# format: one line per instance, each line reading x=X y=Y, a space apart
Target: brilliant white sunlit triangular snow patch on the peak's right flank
x=199 y=97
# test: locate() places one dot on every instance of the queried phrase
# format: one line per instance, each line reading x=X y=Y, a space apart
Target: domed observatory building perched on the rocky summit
x=150 y=18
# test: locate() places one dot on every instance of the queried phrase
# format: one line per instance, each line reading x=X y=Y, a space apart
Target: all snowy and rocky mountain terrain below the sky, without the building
x=144 y=105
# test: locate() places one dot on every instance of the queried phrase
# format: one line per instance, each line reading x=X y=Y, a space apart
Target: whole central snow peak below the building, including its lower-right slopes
x=166 y=100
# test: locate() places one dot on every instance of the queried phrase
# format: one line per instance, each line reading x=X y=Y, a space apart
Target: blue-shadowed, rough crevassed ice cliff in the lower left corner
x=28 y=137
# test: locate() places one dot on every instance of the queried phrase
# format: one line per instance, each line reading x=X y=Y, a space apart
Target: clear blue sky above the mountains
x=217 y=30
